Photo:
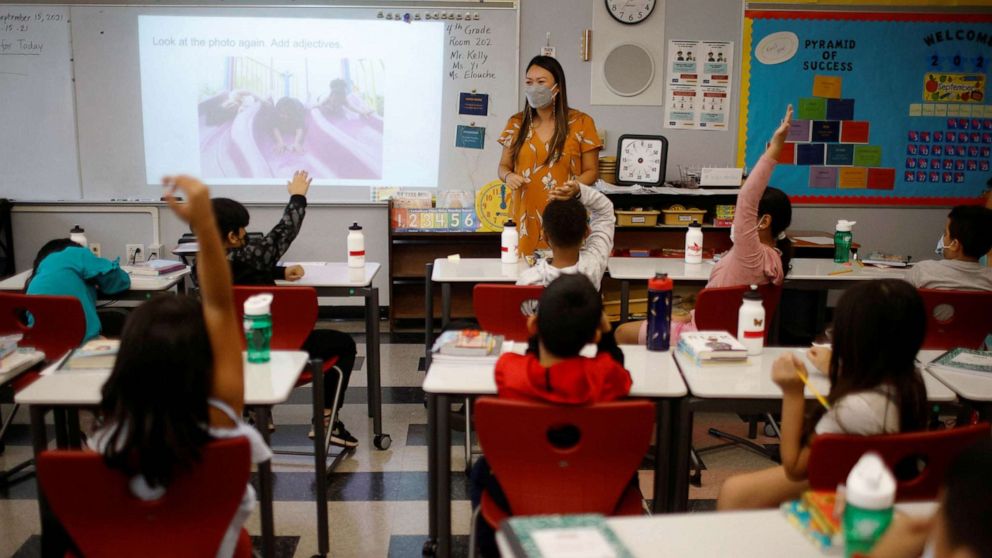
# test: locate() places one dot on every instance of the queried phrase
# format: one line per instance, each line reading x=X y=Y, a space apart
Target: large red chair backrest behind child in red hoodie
x=558 y=459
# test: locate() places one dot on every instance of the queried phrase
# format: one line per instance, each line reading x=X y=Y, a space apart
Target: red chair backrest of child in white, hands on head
x=504 y=309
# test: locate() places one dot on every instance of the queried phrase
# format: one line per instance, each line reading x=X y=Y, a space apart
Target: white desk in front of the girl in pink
x=806 y=273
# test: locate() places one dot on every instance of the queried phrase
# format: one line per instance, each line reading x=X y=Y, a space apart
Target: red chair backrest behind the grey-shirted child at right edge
x=956 y=318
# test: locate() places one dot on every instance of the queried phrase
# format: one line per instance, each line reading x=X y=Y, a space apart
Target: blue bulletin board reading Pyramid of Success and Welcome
x=891 y=108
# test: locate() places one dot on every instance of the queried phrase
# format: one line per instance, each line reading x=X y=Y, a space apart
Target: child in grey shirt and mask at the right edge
x=967 y=237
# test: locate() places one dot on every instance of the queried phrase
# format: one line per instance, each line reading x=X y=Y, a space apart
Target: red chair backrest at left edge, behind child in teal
x=57 y=323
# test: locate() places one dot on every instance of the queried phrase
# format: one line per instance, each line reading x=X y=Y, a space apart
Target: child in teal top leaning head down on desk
x=64 y=268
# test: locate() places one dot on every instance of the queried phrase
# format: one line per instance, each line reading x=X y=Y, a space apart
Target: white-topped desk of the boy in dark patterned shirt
x=337 y=279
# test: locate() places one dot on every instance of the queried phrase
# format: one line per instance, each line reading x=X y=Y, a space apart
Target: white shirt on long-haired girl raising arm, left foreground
x=260 y=452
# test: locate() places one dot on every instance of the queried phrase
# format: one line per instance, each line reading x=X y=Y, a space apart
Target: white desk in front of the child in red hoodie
x=654 y=376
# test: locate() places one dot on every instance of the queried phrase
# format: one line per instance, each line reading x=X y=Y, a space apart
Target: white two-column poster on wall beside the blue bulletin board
x=699 y=78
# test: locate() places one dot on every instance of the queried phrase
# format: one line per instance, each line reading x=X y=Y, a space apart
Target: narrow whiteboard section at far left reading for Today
x=38 y=147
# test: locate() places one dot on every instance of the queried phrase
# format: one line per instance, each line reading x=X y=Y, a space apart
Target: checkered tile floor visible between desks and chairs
x=377 y=499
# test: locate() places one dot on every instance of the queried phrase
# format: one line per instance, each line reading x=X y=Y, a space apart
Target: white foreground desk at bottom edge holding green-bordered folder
x=742 y=534
